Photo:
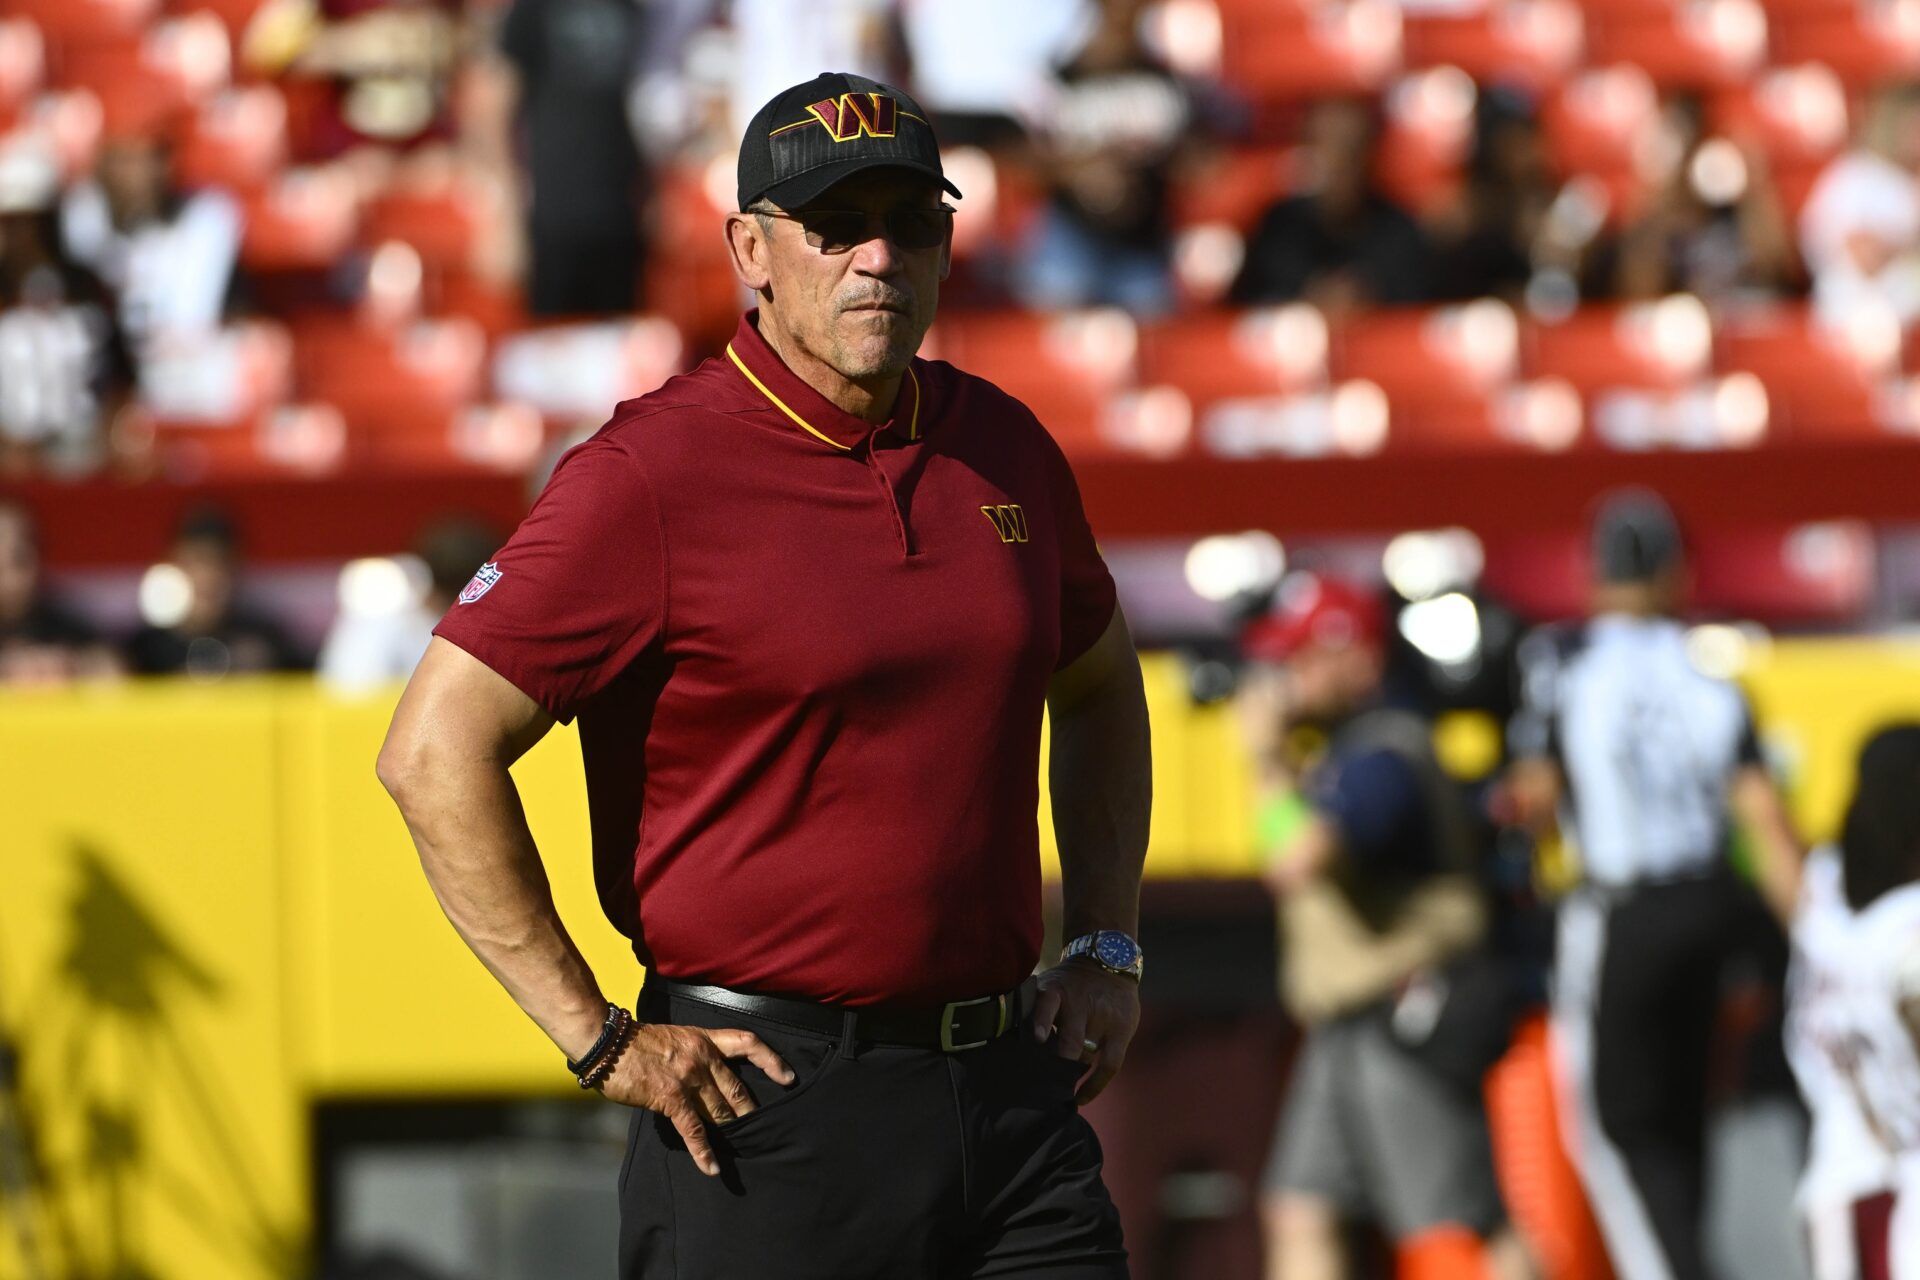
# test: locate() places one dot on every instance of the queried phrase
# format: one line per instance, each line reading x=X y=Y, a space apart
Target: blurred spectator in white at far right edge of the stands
x=1861 y=225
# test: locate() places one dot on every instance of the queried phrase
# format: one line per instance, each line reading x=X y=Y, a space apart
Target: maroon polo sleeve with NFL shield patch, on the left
x=581 y=588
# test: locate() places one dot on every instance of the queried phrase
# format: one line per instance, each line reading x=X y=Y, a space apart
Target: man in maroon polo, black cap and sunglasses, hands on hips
x=809 y=604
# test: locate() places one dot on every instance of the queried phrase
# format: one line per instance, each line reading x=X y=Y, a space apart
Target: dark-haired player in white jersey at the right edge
x=1854 y=1020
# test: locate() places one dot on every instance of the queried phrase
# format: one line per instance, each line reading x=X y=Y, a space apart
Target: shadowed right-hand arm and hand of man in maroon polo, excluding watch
x=1101 y=782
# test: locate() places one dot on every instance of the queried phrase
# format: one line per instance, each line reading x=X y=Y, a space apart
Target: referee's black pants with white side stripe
x=1637 y=1003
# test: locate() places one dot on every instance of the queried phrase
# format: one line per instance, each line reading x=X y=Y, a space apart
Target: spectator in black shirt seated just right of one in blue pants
x=1339 y=243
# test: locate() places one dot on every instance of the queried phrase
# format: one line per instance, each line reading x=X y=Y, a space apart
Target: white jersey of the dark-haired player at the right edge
x=1856 y=1060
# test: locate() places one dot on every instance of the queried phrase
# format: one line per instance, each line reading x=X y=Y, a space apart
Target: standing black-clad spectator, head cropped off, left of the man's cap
x=575 y=62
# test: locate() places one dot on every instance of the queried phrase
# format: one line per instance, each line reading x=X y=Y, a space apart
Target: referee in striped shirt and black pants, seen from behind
x=1648 y=765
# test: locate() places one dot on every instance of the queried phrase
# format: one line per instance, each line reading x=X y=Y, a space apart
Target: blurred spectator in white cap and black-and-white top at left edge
x=60 y=356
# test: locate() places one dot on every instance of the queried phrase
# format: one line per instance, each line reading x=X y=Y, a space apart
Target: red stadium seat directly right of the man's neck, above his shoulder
x=1067 y=367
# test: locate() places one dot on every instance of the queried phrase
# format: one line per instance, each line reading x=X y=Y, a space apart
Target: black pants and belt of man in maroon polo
x=878 y=1162
